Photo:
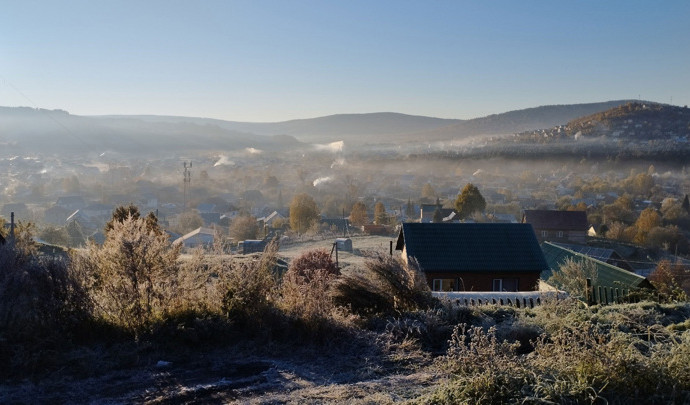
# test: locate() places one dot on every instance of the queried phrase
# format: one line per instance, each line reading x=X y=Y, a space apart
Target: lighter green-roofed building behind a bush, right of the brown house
x=611 y=284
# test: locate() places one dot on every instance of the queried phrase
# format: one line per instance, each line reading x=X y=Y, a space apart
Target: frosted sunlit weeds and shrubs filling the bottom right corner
x=617 y=354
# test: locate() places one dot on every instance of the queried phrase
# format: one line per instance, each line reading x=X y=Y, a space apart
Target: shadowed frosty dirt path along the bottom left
x=219 y=378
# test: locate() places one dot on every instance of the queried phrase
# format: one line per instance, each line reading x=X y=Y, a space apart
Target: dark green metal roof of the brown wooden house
x=472 y=247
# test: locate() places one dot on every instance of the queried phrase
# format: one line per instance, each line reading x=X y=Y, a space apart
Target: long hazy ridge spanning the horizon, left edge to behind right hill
x=28 y=129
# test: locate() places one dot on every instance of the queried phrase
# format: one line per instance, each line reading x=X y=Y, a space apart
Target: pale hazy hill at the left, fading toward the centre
x=29 y=131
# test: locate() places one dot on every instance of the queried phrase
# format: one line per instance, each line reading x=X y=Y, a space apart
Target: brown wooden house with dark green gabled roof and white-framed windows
x=474 y=256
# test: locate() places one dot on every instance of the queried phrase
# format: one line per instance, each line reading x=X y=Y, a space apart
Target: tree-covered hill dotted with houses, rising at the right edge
x=630 y=131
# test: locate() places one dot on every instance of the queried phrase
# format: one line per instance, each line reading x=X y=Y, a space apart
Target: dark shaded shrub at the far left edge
x=42 y=307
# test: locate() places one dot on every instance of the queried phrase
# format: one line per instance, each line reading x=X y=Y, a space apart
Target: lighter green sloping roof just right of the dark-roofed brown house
x=607 y=275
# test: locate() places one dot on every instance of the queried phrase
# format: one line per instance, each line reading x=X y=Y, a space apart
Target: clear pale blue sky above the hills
x=269 y=61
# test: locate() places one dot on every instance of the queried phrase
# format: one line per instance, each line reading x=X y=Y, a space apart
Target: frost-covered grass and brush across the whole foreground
x=373 y=335
